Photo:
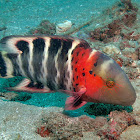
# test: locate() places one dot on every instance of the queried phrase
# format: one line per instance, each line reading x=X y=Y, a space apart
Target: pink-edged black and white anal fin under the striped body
x=28 y=86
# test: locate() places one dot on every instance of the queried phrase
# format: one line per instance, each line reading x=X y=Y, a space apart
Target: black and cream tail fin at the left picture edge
x=6 y=66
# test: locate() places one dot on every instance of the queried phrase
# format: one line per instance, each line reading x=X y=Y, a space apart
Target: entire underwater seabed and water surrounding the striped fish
x=40 y=116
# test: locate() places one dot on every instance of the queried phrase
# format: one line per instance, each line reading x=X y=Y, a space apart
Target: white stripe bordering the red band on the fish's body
x=68 y=63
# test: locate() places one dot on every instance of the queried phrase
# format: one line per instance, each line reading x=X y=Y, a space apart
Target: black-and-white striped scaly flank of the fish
x=34 y=57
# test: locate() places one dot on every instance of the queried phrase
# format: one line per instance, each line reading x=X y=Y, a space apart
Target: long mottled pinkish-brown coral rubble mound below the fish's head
x=65 y=127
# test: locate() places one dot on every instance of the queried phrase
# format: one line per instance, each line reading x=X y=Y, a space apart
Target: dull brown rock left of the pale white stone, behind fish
x=45 y=27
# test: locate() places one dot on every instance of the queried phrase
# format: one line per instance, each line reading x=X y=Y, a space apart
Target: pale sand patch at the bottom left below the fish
x=18 y=121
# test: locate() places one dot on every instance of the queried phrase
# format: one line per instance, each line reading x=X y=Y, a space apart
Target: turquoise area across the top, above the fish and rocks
x=20 y=16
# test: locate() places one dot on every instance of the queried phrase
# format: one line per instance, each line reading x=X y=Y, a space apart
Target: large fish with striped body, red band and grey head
x=65 y=64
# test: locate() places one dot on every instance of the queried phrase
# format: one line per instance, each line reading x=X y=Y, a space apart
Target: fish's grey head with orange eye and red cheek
x=110 y=83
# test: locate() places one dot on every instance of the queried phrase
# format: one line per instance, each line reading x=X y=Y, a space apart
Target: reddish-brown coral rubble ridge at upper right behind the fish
x=113 y=29
